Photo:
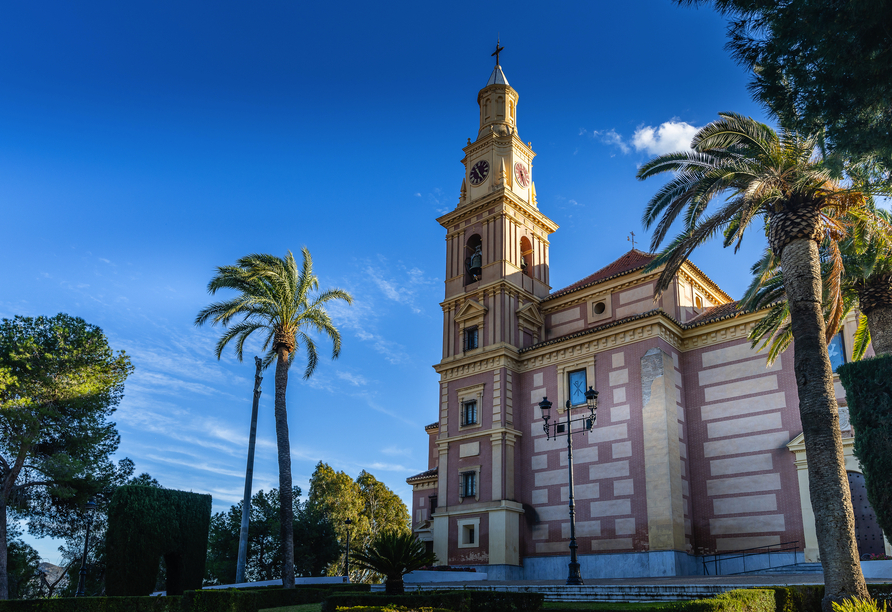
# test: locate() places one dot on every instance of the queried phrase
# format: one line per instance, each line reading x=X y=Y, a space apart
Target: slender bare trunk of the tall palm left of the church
x=286 y=510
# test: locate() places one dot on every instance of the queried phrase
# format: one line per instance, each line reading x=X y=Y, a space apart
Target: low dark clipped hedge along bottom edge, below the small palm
x=460 y=601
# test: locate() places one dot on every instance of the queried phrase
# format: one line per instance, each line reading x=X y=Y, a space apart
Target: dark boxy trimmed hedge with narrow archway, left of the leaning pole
x=146 y=523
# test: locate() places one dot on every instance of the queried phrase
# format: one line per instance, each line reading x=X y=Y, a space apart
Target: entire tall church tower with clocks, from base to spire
x=496 y=276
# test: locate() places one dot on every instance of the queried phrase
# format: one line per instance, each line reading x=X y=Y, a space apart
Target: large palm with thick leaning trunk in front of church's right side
x=775 y=178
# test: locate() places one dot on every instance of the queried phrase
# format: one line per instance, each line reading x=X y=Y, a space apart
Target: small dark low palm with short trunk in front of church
x=394 y=554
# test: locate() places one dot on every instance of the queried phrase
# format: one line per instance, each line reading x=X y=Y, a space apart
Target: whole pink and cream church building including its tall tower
x=697 y=447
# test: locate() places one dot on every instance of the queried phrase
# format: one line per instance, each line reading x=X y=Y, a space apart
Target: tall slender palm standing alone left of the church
x=277 y=298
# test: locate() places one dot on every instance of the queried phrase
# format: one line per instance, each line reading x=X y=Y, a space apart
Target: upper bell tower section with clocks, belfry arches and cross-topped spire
x=496 y=238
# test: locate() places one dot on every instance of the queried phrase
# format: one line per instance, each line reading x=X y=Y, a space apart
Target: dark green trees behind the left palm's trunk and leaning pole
x=315 y=543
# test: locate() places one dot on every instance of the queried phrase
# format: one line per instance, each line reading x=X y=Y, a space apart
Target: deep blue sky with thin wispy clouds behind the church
x=142 y=144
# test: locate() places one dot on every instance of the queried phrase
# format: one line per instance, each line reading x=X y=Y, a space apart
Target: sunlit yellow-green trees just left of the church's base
x=371 y=506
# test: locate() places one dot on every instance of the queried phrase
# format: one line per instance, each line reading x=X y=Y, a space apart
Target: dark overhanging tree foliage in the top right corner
x=823 y=67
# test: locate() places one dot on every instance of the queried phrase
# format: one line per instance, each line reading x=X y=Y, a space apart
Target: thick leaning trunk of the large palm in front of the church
x=828 y=484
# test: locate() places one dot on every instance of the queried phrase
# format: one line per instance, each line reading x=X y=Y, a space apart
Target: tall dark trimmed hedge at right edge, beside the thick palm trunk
x=868 y=385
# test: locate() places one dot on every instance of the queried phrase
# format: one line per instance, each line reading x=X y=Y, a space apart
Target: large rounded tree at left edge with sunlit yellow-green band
x=60 y=382
